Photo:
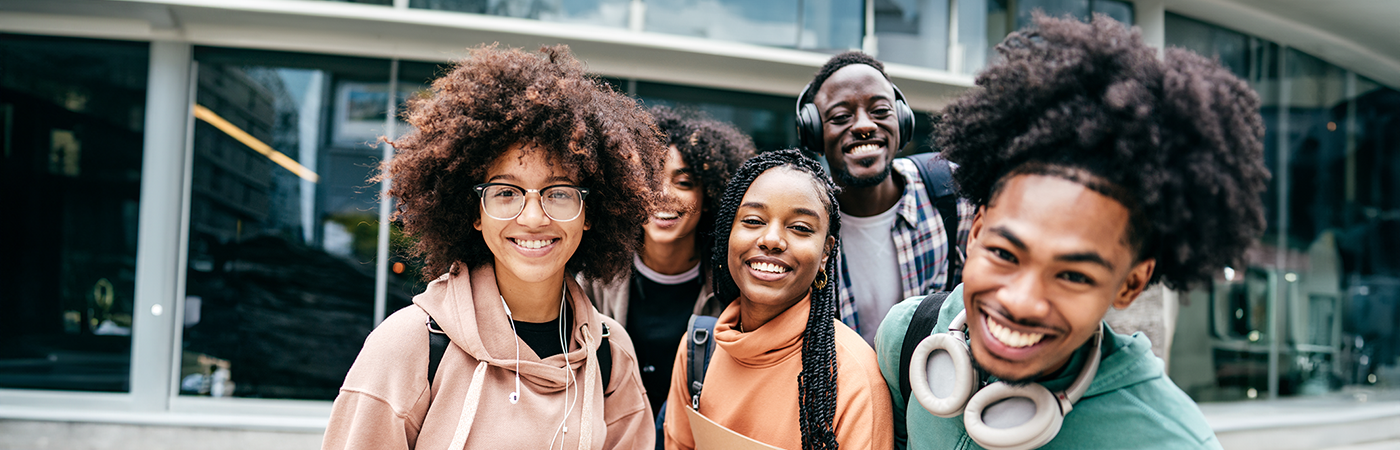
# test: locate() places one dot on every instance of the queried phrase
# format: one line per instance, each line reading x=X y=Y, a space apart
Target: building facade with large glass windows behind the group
x=197 y=247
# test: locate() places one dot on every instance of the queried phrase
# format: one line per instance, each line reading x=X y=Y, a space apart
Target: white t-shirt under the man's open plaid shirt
x=873 y=264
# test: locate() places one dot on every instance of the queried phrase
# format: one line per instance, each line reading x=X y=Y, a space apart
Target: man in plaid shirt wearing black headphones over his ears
x=894 y=243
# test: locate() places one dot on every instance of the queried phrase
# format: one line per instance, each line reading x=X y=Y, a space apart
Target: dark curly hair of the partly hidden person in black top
x=713 y=151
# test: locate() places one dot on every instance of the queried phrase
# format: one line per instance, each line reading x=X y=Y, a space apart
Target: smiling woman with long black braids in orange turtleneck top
x=785 y=371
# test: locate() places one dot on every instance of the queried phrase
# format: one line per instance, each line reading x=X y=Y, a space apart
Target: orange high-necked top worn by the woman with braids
x=751 y=386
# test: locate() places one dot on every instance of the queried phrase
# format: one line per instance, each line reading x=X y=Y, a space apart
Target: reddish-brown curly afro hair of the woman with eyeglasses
x=496 y=99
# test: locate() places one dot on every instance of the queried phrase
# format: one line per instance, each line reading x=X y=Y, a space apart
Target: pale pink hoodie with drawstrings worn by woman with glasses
x=386 y=402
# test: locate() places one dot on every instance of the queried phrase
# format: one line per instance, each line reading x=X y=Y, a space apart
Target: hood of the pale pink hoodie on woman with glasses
x=468 y=309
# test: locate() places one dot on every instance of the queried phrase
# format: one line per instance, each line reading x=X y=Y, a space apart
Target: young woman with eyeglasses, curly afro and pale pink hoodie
x=520 y=173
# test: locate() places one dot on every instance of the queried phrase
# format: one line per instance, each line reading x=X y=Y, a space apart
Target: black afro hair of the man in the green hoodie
x=1178 y=142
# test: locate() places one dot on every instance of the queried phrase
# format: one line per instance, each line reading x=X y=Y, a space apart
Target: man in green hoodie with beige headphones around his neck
x=1097 y=170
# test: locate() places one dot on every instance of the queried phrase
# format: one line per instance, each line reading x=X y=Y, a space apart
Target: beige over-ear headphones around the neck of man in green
x=999 y=417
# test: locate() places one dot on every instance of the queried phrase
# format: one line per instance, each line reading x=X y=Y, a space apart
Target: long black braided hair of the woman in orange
x=817 y=382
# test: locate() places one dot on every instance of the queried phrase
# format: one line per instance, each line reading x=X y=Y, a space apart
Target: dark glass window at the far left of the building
x=72 y=117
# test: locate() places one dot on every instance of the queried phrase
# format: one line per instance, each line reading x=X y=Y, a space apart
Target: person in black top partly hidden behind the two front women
x=671 y=275
